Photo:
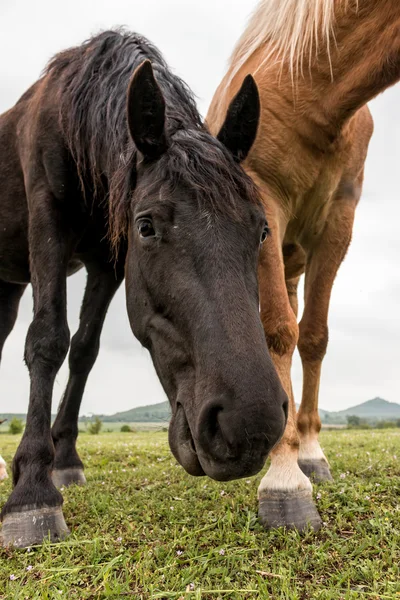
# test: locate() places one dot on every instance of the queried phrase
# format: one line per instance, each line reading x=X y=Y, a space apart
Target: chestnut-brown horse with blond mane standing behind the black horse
x=316 y=63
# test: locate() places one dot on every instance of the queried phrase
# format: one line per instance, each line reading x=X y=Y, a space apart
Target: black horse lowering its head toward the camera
x=105 y=162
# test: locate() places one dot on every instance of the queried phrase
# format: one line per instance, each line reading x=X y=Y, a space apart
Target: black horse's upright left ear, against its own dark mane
x=146 y=112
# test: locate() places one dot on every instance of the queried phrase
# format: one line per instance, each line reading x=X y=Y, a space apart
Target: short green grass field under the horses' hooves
x=144 y=529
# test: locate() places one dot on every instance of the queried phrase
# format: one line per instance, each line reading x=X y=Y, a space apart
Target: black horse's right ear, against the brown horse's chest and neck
x=239 y=129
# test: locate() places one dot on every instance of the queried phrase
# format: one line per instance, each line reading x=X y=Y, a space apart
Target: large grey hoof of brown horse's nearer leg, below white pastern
x=293 y=510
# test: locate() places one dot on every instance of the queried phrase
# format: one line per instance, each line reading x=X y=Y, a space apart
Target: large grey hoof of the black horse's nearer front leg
x=32 y=526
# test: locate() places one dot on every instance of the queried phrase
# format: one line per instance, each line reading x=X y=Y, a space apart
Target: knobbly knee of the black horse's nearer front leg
x=46 y=343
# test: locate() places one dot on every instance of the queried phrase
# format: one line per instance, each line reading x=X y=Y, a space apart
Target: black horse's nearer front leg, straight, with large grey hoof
x=33 y=510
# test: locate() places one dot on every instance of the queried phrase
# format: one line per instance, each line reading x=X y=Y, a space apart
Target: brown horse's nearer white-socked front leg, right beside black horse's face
x=285 y=493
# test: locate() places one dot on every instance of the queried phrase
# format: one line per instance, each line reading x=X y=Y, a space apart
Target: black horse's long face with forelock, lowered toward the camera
x=192 y=296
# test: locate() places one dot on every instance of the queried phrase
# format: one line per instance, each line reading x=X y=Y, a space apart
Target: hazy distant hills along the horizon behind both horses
x=373 y=410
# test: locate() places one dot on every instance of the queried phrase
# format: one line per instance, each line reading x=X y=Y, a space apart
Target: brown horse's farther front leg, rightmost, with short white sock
x=322 y=266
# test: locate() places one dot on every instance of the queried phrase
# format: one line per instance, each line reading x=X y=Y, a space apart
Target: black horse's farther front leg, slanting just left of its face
x=102 y=283
